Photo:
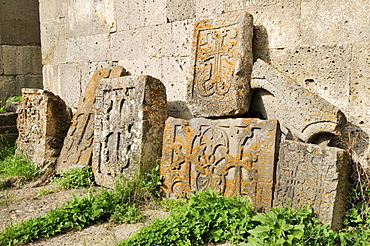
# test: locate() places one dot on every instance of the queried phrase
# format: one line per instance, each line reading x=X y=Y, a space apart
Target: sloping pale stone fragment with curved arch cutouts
x=302 y=114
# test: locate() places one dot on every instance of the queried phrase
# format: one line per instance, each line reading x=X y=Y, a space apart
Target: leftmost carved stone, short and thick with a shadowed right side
x=43 y=121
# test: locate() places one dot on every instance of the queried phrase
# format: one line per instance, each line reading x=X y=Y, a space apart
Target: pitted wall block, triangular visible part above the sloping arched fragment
x=325 y=70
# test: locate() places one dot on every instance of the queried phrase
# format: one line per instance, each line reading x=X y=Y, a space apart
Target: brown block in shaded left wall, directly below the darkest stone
x=21 y=60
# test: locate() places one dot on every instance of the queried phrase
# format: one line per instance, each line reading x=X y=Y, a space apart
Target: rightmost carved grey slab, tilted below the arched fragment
x=314 y=175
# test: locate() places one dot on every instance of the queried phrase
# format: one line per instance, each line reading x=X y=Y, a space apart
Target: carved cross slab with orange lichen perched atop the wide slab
x=221 y=66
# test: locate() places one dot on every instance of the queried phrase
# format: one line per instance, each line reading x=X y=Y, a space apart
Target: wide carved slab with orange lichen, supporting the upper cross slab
x=232 y=156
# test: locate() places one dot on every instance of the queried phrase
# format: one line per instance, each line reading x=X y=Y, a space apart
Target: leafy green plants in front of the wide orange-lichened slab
x=206 y=217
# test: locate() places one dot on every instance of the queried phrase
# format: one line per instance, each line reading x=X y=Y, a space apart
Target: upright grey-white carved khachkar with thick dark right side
x=129 y=122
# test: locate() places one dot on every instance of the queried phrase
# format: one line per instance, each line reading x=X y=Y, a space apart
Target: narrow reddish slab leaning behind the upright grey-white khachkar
x=78 y=145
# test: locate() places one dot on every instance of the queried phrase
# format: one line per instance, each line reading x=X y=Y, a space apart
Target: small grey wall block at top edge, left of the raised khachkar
x=178 y=10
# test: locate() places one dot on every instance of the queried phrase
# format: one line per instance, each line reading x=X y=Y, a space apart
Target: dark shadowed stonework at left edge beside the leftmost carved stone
x=8 y=128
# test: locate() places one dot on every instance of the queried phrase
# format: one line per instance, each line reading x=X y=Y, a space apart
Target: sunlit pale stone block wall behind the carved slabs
x=322 y=44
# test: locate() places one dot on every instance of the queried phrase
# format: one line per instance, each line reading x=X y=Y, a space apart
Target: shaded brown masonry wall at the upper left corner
x=20 y=47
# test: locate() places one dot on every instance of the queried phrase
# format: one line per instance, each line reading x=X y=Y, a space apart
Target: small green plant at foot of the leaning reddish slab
x=75 y=178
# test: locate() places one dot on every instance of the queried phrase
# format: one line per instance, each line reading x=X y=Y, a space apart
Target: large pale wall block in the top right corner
x=334 y=22
